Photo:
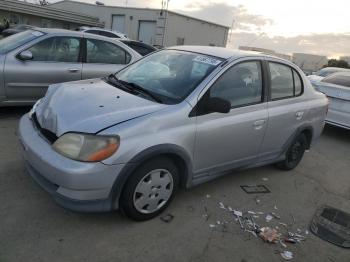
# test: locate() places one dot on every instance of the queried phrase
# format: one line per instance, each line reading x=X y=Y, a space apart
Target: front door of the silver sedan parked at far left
x=55 y=59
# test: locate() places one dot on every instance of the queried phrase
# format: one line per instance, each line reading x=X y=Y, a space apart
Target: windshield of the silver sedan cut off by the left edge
x=12 y=42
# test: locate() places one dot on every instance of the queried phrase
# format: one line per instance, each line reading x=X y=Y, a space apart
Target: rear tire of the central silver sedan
x=294 y=153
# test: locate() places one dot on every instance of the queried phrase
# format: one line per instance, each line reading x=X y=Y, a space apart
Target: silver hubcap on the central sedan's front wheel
x=153 y=191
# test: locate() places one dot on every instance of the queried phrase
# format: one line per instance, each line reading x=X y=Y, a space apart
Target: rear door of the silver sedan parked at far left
x=103 y=58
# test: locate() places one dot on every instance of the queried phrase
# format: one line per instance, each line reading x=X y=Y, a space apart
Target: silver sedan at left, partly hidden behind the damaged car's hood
x=32 y=60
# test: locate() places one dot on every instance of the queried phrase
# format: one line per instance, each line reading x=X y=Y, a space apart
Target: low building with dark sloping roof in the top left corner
x=19 y=12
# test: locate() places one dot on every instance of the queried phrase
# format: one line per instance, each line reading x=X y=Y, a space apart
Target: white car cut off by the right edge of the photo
x=337 y=88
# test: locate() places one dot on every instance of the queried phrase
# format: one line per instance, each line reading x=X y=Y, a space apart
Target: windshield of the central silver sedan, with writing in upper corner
x=170 y=74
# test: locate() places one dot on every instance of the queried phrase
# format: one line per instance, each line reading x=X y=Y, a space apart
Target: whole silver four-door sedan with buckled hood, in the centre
x=176 y=118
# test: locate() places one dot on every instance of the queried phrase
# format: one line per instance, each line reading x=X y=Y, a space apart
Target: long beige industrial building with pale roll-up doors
x=151 y=26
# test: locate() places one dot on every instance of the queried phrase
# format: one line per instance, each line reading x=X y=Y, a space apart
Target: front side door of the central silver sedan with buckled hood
x=225 y=141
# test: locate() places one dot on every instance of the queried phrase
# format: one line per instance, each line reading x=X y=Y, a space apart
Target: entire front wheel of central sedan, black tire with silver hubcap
x=150 y=189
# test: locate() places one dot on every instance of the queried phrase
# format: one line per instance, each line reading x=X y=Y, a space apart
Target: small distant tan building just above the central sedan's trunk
x=309 y=63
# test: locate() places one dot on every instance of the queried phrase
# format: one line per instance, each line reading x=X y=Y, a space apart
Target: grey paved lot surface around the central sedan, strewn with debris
x=34 y=228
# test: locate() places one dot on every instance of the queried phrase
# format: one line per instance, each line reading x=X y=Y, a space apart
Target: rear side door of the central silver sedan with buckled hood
x=286 y=107
